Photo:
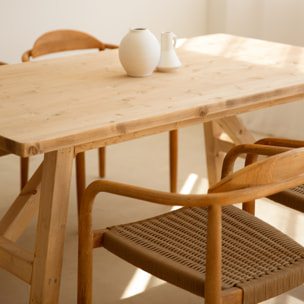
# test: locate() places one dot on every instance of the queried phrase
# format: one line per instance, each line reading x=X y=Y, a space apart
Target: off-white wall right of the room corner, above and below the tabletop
x=275 y=20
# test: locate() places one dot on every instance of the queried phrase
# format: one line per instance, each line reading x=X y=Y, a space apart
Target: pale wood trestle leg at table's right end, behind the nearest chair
x=220 y=136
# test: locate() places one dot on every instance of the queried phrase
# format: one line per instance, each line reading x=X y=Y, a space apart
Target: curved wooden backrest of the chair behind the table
x=64 y=40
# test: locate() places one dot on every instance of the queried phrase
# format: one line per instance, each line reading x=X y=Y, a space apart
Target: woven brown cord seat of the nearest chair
x=251 y=259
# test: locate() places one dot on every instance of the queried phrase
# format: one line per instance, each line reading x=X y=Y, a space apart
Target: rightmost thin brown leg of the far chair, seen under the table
x=173 y=135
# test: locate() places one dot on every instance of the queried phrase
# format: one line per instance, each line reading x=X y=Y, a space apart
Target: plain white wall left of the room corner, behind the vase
x=22 y=21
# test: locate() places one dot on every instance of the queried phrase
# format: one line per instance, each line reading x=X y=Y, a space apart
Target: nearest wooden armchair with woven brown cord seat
x=208 y=247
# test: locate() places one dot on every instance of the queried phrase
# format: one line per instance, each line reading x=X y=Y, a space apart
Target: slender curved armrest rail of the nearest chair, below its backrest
x=224 y=198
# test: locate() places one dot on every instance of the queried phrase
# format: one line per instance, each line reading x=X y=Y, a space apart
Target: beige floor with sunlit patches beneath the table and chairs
x=142 y=162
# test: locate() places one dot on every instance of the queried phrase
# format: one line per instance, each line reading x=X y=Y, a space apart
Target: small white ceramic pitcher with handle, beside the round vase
x=168 y=58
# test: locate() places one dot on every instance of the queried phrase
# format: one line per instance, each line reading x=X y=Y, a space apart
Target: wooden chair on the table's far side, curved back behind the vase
x=67 y=40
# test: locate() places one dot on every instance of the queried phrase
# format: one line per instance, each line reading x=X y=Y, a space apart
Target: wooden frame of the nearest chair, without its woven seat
x=270 y=175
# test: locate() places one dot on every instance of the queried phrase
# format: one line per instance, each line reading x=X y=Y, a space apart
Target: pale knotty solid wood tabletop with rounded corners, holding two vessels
x=69 y=101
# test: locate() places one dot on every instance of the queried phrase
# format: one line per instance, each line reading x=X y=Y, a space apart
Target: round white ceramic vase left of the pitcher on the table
x=139 y=52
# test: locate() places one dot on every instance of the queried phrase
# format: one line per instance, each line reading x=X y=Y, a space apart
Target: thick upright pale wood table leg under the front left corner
x=55 y=188
